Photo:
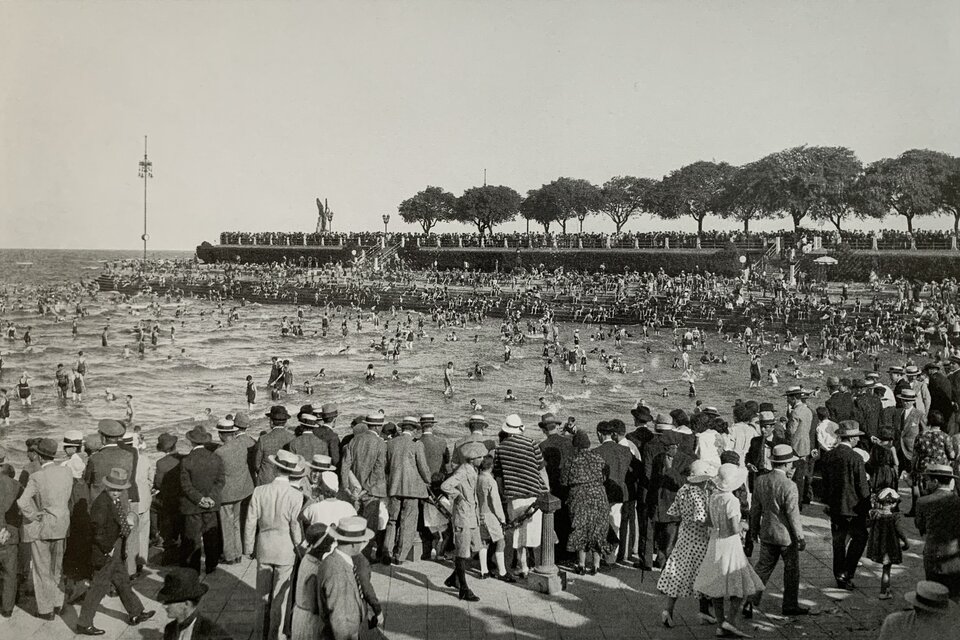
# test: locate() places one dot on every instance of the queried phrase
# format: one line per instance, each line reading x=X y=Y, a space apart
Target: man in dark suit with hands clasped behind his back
x=202 y=480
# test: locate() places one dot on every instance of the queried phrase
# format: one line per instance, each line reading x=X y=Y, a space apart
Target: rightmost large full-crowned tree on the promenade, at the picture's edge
x=911 y=184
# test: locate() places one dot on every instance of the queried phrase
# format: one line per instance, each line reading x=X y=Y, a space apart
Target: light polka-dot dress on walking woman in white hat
x=676 y=579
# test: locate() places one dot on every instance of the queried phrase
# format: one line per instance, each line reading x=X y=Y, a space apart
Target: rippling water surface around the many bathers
x=205 y=366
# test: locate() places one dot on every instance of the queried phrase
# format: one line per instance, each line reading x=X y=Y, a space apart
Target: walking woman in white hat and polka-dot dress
x=676 y=579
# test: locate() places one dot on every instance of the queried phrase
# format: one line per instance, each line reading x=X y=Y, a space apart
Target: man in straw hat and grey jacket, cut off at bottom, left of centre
x=344 y=610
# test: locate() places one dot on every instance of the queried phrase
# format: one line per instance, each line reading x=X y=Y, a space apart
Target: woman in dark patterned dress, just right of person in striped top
x=582 y=475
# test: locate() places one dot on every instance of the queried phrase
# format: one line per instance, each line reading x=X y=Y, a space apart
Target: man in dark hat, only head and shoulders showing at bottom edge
x=180 y=597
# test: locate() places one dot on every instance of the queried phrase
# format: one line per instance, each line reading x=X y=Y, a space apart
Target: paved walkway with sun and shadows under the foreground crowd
x=614 y=604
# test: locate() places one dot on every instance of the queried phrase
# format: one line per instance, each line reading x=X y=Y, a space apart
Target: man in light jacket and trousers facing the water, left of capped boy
x=408 y=476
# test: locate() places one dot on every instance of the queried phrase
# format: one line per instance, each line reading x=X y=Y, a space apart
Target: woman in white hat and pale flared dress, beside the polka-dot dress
x=725 y=573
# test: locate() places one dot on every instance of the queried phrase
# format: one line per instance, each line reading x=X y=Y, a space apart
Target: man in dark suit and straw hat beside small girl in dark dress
x=847 y=495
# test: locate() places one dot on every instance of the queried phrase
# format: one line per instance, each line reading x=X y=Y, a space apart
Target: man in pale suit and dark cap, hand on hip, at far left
x=45 y=506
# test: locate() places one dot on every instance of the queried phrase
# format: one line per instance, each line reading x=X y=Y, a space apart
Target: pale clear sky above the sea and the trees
x=255 y=109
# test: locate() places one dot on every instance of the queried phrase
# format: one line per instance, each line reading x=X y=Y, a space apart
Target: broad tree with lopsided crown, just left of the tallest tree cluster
x=692 y=191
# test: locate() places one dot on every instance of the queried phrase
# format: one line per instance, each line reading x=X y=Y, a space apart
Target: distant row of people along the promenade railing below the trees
x=885 y=239
